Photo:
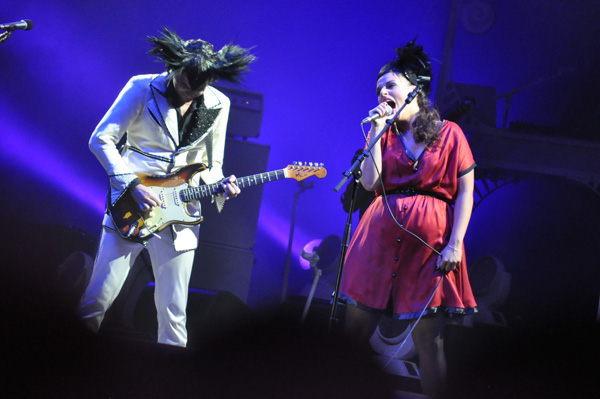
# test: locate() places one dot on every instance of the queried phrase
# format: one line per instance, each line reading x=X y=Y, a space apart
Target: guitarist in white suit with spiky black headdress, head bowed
x=171 y=121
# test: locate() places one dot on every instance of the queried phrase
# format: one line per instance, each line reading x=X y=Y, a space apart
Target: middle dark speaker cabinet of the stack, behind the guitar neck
x=236 y=224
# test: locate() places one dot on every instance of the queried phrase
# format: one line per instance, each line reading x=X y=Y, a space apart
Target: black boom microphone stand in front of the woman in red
x=357 y=173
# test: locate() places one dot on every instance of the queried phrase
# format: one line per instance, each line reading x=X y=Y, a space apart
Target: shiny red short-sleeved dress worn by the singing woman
x=385 y=264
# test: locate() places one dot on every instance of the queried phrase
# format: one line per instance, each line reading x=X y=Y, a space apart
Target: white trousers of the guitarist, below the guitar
x=172 y=272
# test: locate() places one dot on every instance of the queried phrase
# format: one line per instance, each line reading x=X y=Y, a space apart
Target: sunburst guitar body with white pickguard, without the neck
x=137 y=225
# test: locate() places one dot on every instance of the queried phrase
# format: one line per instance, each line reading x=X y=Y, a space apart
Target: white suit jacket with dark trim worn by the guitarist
x=141 y=111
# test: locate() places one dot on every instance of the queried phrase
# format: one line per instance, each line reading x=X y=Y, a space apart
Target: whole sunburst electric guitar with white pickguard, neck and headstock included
x=175 y=191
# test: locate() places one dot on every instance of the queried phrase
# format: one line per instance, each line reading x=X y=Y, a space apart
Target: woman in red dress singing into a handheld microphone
x=411 y=236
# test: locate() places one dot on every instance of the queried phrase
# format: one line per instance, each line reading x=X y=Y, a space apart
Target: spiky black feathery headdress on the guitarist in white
x=199 y=60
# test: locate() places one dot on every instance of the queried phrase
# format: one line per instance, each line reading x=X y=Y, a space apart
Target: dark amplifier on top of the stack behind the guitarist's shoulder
x=245 y=114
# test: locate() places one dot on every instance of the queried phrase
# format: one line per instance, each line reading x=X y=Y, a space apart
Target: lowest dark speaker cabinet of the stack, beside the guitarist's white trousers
x=222 y=268
